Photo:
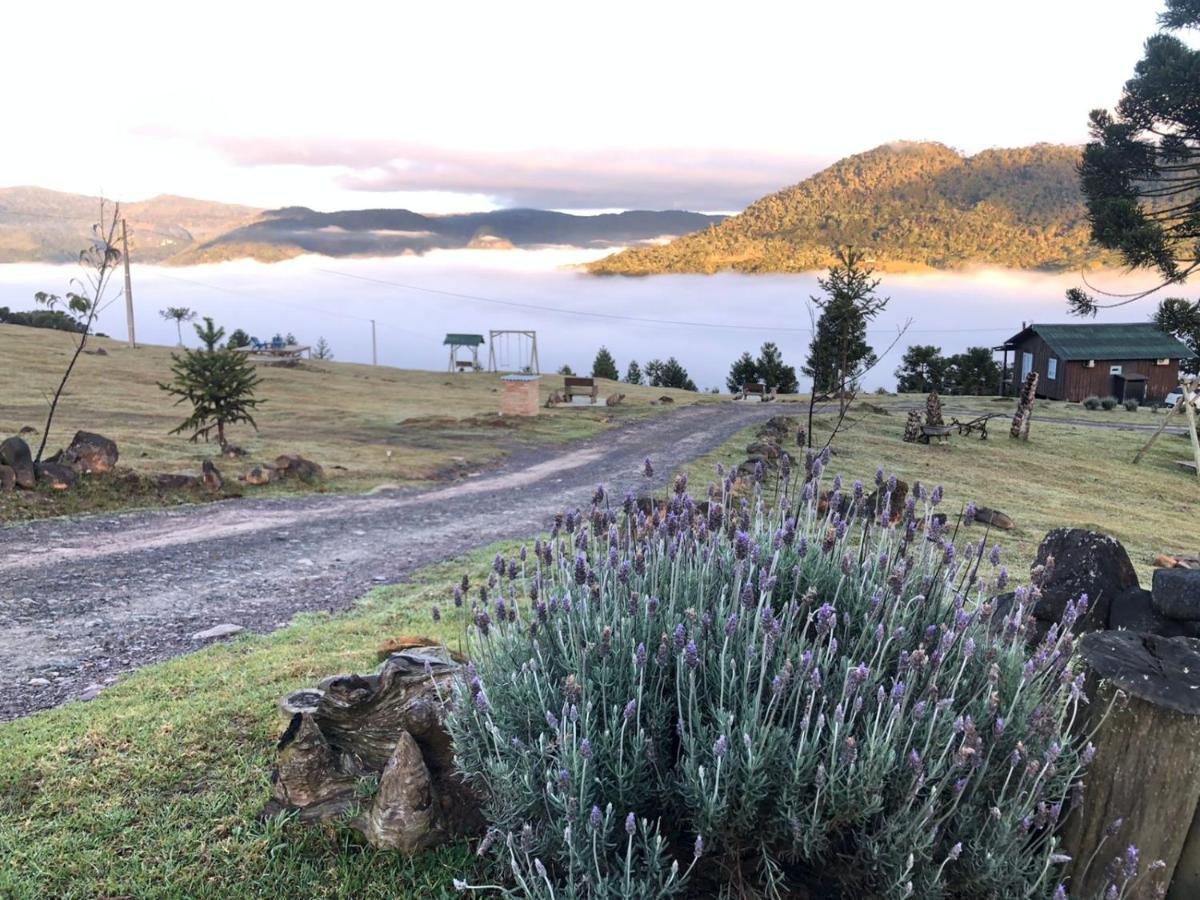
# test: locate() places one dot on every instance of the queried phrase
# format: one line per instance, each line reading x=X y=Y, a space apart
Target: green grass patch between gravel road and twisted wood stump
x=154 y=789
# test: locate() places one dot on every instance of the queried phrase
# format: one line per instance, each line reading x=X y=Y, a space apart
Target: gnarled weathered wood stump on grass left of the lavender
x=373 y=752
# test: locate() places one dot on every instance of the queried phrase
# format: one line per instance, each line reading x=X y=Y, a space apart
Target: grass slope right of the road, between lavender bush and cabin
x=1064 y=476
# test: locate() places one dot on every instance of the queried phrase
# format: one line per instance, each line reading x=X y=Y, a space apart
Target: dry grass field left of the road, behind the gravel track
x=343 y=416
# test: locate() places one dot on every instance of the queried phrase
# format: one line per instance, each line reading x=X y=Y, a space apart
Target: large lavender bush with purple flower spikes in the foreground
x=739 y=697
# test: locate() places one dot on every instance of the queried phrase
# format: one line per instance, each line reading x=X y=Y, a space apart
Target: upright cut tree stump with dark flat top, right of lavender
x=1147 y=770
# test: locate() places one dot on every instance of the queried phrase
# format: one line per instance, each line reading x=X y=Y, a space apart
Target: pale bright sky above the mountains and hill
x=581 y=106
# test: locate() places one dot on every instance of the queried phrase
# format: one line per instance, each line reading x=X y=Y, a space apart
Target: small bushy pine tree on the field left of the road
x=219 y=383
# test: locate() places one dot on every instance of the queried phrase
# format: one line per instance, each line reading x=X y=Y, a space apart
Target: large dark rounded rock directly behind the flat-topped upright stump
x=1084 y=563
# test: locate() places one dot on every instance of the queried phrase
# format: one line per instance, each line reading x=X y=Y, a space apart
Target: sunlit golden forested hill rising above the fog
x=908 y=206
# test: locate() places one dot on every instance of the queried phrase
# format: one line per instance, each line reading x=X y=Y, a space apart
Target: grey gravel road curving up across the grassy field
x=85 y=601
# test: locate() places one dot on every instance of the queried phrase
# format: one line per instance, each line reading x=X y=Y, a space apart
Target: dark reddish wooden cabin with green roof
x=1135 y=361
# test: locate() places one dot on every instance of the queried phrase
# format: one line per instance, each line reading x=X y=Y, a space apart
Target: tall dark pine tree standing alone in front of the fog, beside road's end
x=839 y=351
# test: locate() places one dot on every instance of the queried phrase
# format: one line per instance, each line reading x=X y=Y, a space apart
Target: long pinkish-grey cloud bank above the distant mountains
x=709 y=181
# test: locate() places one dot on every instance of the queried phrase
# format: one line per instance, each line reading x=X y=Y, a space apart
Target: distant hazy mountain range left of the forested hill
x=51 y=227
